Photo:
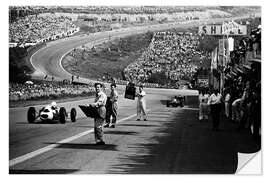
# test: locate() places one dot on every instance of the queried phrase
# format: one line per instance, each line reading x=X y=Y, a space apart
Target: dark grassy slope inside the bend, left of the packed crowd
x=110 y=57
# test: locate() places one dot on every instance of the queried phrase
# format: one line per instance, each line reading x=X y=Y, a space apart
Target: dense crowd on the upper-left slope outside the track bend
x=39 y=27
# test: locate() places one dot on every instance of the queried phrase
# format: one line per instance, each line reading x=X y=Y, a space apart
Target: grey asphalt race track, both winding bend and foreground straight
x=132 y=147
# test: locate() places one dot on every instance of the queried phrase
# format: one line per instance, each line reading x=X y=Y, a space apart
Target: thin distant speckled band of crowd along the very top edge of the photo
x=25 y=10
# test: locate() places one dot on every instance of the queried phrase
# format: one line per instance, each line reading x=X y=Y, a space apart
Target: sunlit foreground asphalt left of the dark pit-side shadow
x=70 y=148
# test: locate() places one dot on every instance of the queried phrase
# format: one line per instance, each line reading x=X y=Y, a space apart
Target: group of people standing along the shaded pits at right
x=235 y=110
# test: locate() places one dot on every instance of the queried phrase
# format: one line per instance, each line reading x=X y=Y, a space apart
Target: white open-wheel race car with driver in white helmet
x=49 y=113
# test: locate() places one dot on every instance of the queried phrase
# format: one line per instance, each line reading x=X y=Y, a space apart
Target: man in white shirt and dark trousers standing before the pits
x=215 y=107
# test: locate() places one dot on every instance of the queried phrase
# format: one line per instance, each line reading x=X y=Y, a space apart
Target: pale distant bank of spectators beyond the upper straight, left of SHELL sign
x=118 y=20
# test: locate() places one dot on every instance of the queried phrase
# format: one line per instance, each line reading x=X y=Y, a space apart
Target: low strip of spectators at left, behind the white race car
x=46 y=90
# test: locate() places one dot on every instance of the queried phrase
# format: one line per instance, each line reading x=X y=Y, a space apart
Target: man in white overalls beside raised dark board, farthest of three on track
x=141 y=104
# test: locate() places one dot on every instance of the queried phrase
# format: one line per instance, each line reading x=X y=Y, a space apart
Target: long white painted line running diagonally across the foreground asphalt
x=30 y=155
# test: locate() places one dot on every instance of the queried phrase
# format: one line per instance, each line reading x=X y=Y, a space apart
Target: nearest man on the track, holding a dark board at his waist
x=100 y=102
